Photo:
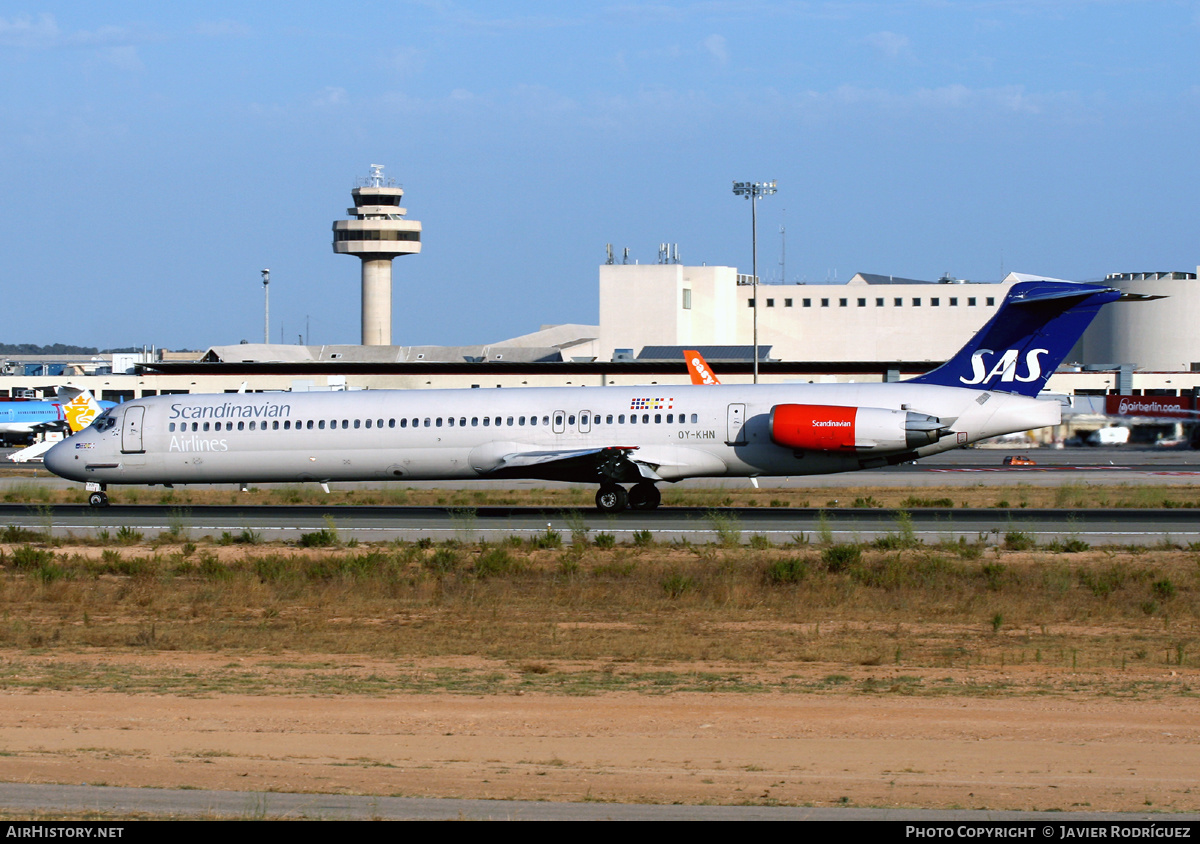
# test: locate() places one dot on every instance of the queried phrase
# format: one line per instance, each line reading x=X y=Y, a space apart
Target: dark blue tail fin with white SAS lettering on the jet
x=1023 y=345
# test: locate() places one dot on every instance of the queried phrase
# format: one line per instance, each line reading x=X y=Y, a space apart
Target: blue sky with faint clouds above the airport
x=157 y=157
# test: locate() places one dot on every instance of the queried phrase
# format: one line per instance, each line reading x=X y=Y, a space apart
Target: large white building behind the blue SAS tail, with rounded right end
x=874 y=318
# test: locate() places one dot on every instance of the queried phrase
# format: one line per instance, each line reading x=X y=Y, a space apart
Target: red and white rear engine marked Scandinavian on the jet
x=825 y=428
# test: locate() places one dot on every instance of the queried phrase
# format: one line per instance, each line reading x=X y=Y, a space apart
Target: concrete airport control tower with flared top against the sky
x=377 y=234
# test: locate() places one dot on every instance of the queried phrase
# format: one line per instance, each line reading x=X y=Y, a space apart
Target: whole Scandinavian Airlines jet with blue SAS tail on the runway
x=609 y=436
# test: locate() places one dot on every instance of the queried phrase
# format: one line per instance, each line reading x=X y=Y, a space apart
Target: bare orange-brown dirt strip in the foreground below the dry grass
x=1069 y=752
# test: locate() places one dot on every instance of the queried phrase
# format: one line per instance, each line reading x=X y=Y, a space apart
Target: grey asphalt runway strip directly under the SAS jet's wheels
x=694 y=525
